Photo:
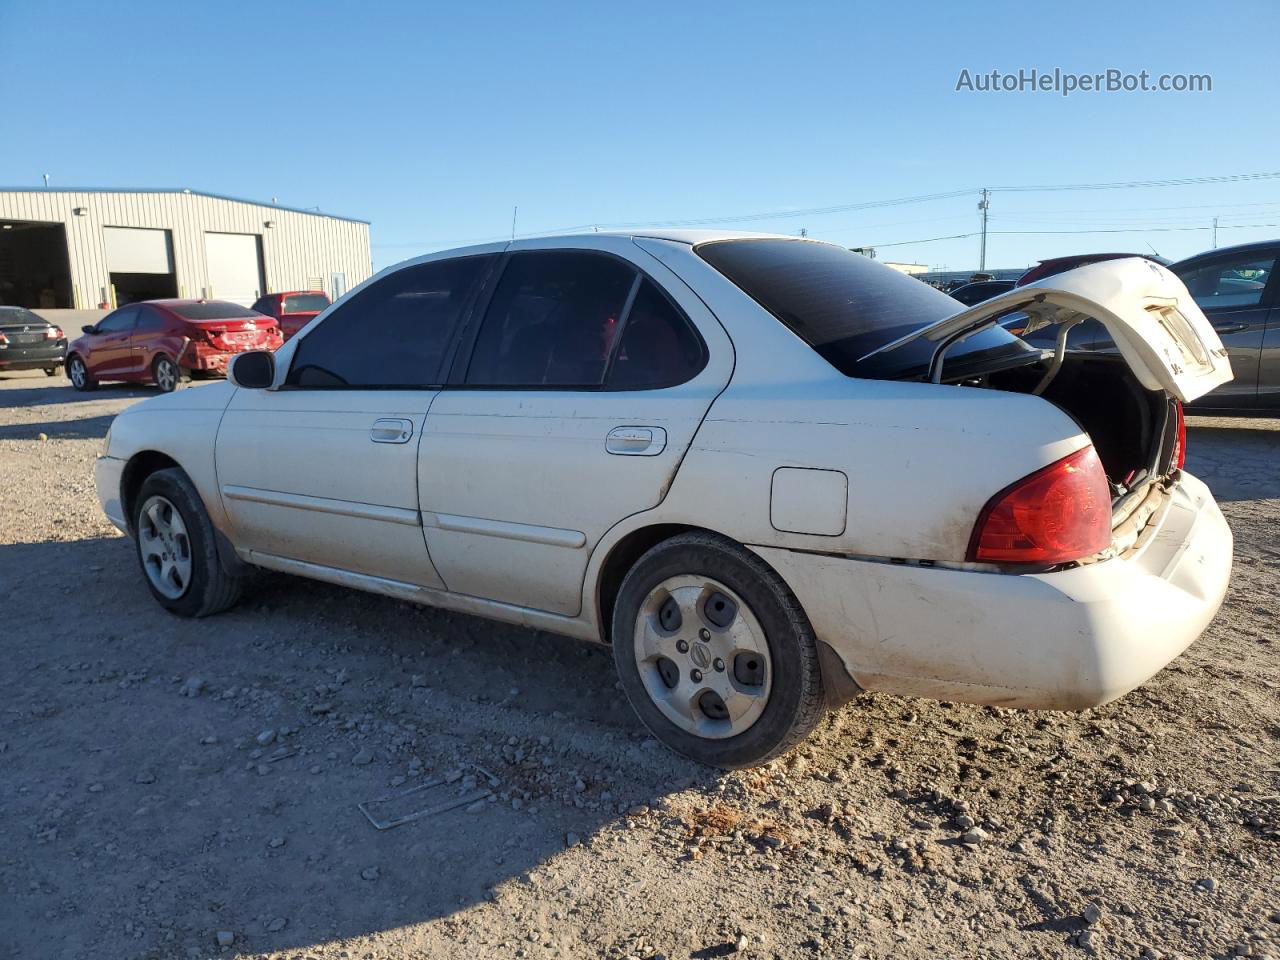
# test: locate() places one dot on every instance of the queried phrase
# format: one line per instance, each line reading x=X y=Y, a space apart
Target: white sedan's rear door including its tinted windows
x=573 y=403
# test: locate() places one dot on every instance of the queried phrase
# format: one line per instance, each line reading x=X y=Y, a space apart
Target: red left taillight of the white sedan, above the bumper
x=1059 y=514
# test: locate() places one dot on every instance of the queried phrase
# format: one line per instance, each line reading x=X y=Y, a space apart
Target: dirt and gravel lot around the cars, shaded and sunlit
x=175 y=789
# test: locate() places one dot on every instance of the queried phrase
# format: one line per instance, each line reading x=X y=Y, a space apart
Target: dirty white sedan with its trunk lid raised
x=769 y=472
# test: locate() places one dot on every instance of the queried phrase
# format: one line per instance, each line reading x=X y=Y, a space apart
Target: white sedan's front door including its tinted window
x=324 y=468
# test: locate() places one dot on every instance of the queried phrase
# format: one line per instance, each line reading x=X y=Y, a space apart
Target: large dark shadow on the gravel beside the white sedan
x=126 y=797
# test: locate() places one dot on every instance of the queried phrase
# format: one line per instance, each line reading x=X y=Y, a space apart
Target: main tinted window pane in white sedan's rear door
x=551 y=322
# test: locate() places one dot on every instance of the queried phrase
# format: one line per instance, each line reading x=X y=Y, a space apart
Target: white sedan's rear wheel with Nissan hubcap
x=715 y=653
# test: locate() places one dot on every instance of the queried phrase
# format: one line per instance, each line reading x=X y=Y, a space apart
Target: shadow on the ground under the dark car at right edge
x=1237 y=459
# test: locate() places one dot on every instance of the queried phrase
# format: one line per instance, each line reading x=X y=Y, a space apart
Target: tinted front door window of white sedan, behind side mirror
x=394 y=333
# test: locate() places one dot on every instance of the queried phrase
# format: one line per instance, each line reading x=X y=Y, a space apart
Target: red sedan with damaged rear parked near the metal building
x=159 y=341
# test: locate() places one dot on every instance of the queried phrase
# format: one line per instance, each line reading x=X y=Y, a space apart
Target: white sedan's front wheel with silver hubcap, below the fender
x=177 y=548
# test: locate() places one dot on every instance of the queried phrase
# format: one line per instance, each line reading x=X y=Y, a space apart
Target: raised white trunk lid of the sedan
x=1154 y=322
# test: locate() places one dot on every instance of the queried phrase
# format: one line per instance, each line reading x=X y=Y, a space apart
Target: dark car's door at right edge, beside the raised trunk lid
x=1233 y=291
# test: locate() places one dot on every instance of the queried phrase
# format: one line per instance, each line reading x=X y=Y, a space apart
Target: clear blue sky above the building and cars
x=435 y=121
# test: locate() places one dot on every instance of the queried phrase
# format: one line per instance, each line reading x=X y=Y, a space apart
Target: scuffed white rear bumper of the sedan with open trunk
x=1066 y=641
